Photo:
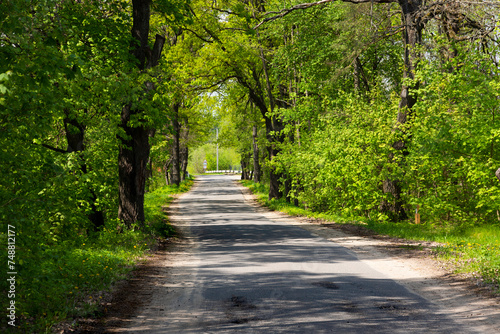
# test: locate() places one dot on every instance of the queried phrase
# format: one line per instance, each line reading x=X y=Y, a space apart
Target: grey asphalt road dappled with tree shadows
x=244 y=273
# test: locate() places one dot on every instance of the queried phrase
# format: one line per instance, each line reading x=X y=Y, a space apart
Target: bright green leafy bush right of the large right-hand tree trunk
x=455 y=144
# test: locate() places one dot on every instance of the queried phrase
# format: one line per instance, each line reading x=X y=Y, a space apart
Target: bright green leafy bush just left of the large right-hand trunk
x=339 y=167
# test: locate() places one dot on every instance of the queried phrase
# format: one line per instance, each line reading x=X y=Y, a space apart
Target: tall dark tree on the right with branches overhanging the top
x=415 y=15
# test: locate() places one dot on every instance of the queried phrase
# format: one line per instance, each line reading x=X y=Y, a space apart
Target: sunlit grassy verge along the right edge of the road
x=473 y=250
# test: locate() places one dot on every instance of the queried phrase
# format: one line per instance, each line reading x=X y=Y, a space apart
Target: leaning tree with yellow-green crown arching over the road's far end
x=221 y=37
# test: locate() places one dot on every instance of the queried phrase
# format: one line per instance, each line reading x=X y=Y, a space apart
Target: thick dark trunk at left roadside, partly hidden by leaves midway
x=134 y=149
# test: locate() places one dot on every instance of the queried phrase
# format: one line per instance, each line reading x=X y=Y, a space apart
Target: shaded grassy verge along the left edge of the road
x=71 y=278
